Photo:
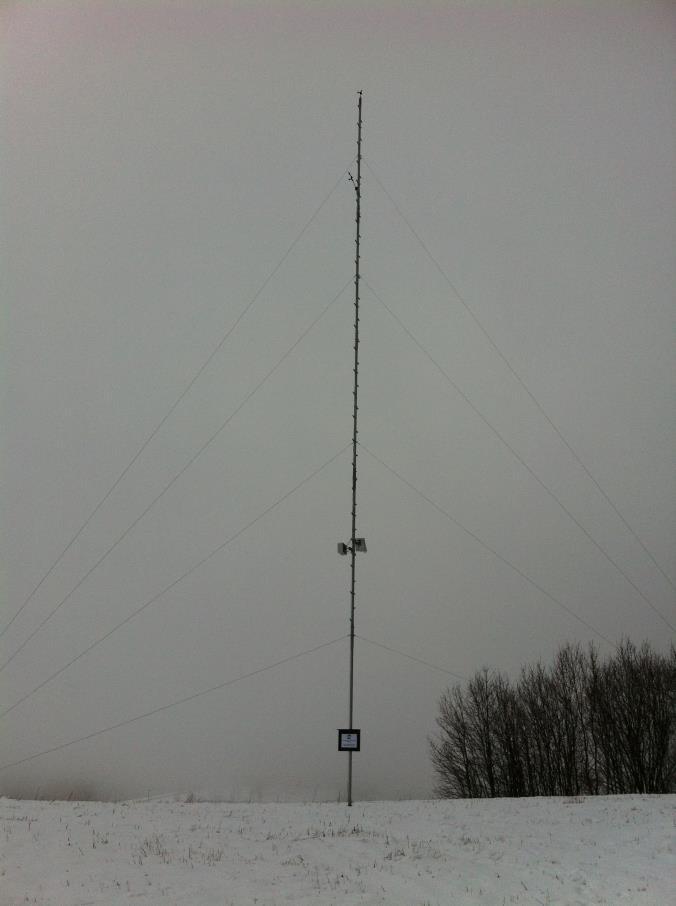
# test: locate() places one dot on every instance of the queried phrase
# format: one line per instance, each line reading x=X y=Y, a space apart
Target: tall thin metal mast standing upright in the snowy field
x=357 y=186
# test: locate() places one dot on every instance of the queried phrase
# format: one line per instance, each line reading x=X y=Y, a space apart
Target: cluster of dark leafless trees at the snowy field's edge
x=581 y=726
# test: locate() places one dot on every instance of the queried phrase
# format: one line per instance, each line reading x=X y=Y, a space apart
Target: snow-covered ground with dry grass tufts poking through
x=525 y=851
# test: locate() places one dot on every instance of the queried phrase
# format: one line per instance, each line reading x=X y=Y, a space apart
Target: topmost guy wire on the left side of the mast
x=179 y=399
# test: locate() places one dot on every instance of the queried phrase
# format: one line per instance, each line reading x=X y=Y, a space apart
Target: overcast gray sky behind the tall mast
x=159 y=160
